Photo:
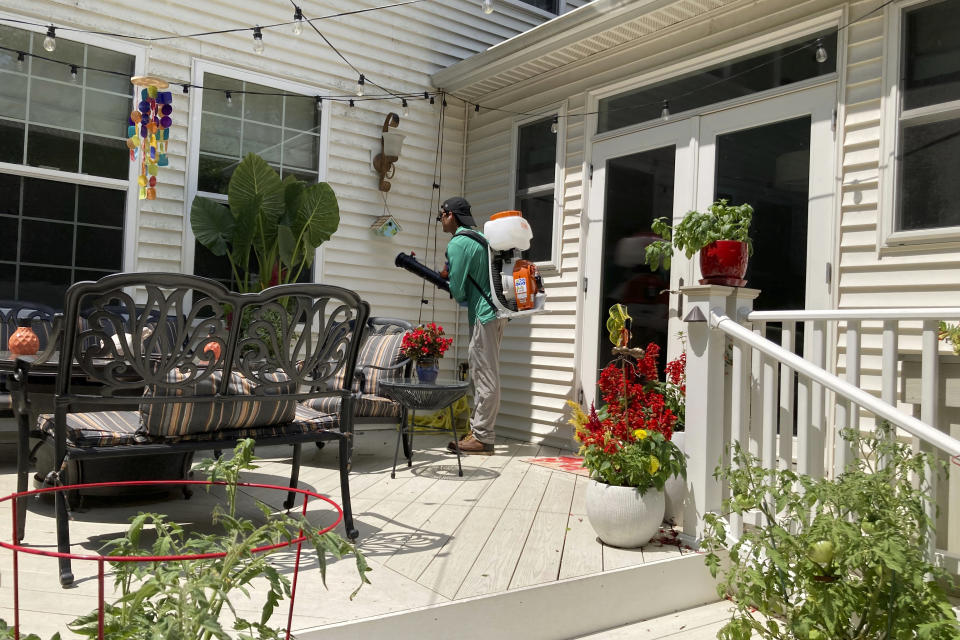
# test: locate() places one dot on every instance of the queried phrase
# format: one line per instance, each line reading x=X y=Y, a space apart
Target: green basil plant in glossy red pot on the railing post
x=721 y=235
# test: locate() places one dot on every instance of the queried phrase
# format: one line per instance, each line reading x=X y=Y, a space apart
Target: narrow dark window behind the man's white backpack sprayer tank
x=536 y=173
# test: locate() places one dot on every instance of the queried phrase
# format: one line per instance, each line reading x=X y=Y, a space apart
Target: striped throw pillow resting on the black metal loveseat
x=179 y=419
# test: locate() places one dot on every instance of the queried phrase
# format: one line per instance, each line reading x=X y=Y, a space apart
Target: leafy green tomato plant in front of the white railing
x=833 y=559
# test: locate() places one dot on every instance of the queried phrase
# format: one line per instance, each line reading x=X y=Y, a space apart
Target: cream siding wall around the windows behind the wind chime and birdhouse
x=398 y=47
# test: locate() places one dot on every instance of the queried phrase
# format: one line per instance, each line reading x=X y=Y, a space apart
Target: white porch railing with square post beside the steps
x=758 y=392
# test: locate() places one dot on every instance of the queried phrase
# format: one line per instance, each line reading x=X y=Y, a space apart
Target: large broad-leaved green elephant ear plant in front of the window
x=278 y=223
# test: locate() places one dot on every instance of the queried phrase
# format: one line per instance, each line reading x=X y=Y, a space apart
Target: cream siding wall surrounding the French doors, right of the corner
x=866 y=274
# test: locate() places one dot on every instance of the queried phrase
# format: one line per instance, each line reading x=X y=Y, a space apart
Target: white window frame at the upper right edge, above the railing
x=889 y=236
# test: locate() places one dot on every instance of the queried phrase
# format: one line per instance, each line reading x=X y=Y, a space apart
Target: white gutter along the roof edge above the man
x=581 y=23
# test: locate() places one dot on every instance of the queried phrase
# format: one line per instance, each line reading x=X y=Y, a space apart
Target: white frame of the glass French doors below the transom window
x=694 y=180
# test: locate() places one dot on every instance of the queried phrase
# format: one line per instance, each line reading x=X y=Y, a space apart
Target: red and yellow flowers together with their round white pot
x=626 y=446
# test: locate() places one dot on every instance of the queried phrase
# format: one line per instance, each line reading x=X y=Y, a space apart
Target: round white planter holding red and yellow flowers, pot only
x=621 y=516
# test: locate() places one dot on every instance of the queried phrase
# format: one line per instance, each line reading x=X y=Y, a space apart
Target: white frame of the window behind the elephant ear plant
x=201 y=67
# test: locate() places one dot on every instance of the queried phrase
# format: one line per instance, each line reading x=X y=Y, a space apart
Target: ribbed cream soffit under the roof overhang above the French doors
x=538 y=51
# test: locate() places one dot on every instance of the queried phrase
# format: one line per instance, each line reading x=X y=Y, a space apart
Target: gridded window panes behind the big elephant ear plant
x=281 y=127
